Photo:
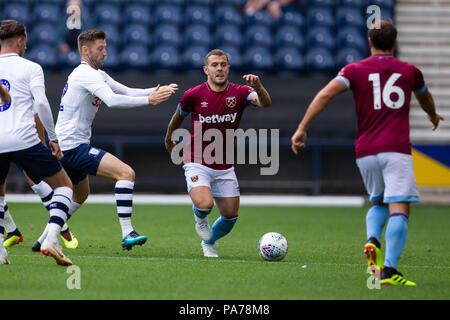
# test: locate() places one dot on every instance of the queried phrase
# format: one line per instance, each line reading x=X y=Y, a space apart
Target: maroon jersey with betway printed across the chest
x=214 y=110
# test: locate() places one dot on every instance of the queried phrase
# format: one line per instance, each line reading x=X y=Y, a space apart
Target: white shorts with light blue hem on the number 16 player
x=389 y=176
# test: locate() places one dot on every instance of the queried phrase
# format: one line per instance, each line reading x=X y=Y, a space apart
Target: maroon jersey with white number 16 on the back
x=382 y=87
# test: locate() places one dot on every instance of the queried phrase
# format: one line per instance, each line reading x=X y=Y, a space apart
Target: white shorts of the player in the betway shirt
x=223 y=183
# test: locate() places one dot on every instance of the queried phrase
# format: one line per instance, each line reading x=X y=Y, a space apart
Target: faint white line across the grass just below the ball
x=301 y=264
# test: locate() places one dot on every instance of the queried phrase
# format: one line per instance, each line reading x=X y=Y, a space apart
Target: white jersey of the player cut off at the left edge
x=18 y=127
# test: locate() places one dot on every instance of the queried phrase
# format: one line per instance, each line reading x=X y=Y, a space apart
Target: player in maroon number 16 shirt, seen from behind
x=382 y=87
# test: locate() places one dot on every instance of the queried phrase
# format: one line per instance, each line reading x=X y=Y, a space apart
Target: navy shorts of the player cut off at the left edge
x=37 y=161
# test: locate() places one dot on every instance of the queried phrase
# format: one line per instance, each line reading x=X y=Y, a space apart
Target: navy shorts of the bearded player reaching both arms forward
x=81 y=161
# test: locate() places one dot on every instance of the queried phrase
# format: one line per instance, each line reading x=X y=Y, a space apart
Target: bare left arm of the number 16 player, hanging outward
x=319 y=103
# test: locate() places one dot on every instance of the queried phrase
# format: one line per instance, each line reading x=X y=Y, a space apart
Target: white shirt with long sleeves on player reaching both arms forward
x=83 y=94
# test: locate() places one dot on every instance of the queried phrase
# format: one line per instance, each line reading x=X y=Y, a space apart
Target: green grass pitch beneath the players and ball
x=324 y=261
